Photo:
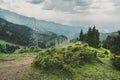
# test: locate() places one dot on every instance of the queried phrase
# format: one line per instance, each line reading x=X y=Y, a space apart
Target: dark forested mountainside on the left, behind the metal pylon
x=20 y=34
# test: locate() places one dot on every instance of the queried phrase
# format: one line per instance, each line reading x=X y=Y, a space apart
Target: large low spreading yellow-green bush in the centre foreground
x=63 y=60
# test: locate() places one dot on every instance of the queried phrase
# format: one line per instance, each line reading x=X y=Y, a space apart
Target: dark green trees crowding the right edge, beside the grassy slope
x=113 y=44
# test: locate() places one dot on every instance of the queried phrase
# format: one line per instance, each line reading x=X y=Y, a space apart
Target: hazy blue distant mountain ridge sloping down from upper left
x=42 y=25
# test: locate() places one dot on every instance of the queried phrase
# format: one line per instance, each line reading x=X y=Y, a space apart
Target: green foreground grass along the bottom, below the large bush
x=93 y=71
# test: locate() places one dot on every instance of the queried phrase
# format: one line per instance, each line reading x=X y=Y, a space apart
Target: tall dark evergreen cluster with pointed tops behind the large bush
x=91 y=37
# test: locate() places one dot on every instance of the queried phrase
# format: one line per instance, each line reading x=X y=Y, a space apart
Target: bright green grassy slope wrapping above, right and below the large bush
x=100 y=69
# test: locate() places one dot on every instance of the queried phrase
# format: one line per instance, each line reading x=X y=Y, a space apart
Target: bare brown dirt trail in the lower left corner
x=10 y=68
